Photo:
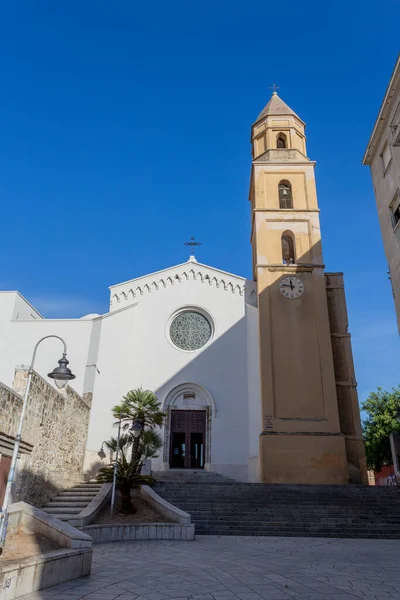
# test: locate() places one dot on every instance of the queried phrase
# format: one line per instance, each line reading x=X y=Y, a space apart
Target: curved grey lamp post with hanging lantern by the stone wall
x=61 y=375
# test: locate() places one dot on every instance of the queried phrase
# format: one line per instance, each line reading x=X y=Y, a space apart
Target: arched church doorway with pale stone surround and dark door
x=189 y=410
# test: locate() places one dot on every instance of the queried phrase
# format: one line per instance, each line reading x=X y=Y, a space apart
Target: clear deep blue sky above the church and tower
x=124 y=130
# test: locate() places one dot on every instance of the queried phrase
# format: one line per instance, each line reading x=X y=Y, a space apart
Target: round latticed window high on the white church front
x=190 y=330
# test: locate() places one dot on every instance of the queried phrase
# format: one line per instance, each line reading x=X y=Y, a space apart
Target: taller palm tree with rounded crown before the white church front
x=144 y=407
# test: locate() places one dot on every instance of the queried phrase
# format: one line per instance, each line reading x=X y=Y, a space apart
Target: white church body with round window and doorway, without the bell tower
x=188 y=333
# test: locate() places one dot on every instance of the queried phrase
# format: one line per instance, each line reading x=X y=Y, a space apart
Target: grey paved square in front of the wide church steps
x=232 y=568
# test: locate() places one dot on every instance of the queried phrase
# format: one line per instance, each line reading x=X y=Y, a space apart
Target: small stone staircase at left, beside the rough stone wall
x=69 y=503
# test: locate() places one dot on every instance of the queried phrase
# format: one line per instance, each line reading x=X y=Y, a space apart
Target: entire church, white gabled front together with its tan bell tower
x=255 y=376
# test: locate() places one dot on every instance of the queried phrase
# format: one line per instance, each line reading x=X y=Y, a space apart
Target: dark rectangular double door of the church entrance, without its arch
x=187 y=439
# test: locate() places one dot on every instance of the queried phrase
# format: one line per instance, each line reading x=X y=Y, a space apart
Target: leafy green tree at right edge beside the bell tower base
x=381 y=407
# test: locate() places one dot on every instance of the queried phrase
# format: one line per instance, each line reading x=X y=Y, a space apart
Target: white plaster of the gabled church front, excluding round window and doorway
x=135 y=351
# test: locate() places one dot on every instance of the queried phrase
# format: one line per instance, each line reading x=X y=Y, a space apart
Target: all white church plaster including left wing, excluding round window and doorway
x=130 y=348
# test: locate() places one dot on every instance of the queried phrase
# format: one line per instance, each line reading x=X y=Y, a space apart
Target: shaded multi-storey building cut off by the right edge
x=383 y=157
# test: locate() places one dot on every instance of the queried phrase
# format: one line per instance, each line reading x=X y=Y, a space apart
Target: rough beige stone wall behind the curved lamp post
x=53 y=436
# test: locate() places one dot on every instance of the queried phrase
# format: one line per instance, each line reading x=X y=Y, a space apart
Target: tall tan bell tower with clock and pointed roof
x=304 y=433
